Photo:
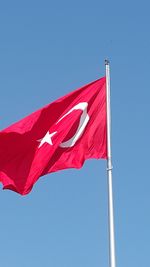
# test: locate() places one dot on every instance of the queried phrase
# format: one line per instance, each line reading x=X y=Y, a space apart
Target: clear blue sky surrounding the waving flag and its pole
x=48 y=48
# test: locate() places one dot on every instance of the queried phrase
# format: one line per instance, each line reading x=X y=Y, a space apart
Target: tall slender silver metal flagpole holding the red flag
x=112 y=257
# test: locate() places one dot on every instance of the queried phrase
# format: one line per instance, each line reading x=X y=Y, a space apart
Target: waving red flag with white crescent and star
x=61 y=135
